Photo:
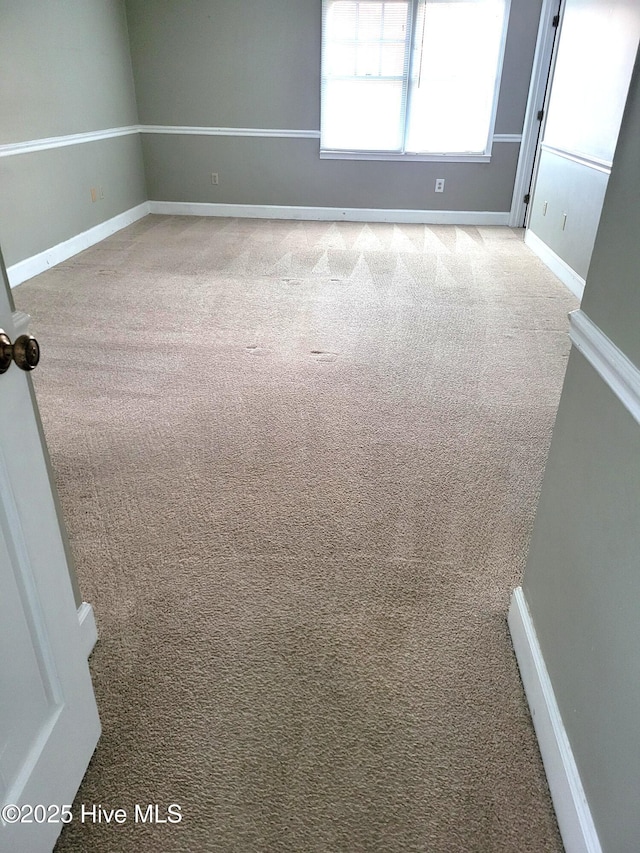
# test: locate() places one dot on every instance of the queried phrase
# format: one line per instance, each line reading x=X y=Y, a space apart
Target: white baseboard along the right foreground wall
x=572 y=810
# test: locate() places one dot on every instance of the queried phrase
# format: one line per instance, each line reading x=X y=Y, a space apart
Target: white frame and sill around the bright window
x=484 y=157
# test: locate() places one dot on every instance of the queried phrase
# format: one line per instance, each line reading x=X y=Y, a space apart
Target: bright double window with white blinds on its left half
x=410 y=77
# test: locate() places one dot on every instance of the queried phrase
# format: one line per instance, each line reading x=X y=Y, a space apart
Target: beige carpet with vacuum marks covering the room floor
x=299 y=464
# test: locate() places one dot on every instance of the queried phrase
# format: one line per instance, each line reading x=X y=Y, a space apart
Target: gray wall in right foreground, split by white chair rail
x=582 y=579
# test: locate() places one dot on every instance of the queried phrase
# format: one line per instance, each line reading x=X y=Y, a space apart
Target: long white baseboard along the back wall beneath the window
x=348 y=214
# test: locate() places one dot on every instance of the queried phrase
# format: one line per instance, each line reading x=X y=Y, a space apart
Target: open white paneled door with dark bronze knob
x=49 y=722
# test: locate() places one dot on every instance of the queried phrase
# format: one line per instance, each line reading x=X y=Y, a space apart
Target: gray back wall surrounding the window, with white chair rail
x=212 y=63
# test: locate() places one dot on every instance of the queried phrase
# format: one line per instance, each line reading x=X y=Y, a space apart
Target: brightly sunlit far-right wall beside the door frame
x=597 y=47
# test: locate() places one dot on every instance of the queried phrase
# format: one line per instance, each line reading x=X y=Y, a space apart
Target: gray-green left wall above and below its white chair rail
x=65 y=68
